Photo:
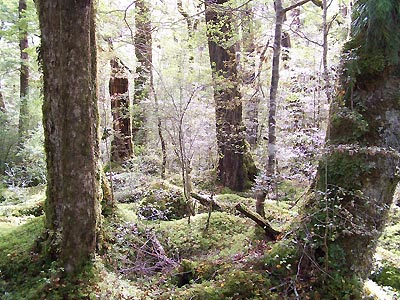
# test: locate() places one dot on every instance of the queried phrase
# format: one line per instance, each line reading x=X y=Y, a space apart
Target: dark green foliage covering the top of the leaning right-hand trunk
x=375 y=39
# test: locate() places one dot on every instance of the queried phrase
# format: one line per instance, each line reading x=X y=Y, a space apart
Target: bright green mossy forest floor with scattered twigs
x=151 y=252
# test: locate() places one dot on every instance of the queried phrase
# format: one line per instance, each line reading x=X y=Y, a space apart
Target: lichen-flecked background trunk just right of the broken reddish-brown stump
x=143 y=52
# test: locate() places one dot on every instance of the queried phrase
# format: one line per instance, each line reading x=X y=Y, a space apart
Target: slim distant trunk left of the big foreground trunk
x=23 y=125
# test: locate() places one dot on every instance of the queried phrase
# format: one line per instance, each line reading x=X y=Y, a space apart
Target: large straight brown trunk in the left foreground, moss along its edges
x=68 y=56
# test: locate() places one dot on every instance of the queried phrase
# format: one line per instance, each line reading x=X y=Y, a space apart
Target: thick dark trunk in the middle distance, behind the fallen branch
x=228 y=102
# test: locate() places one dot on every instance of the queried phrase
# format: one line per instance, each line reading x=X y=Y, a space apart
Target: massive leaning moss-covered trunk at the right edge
x=356 y=179
